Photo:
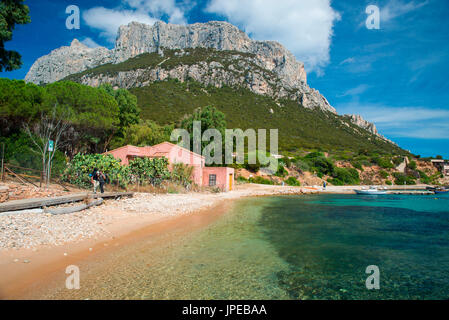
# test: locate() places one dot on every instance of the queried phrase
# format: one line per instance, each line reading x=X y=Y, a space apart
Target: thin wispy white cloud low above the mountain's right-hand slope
x=411 y=122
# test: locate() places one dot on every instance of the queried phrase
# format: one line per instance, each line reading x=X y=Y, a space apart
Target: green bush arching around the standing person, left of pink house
x=82 y=165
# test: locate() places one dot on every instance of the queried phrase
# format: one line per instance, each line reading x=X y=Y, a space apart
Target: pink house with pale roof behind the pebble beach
x=203 y=176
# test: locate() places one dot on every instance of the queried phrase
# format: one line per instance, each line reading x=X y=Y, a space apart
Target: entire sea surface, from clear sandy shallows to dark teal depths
x=305 y=247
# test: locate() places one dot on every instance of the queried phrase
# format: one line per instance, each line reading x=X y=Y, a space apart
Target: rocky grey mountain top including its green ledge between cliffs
x=214 y=54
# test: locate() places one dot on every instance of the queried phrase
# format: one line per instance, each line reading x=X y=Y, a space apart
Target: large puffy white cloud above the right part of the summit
x=305 y=27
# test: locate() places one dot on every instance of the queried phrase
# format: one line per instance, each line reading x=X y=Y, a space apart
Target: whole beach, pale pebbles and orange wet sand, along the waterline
x=34 y=247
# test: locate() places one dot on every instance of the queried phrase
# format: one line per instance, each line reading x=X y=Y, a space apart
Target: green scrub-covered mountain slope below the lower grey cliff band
x=299 y=128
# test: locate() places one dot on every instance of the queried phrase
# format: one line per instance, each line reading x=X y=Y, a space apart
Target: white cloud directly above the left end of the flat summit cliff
x=145 y=11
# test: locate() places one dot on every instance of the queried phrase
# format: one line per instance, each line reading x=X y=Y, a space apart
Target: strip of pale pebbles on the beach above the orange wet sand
x=31 y=230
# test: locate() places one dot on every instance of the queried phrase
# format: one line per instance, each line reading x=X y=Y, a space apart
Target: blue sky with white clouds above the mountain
x=395 y=75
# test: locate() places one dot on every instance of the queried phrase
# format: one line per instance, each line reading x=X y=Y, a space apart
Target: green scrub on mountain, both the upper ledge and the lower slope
x=168 y=102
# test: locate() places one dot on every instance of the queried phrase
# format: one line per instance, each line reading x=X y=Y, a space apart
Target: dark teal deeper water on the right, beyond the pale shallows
x=329 y=240
